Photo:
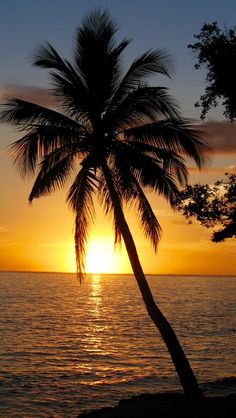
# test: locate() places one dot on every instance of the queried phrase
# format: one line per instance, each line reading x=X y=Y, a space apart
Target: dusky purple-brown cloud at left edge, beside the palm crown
x=37 y=95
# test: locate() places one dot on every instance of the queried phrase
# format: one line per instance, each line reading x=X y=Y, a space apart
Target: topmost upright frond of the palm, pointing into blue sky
x=97 y=58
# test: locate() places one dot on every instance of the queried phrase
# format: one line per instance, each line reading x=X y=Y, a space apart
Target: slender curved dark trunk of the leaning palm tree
x=181 y=363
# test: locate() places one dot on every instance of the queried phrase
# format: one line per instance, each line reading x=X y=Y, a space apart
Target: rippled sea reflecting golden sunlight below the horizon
x=67 y=348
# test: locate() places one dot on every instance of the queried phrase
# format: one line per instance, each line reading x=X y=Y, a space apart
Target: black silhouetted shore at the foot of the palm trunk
x=168 y=405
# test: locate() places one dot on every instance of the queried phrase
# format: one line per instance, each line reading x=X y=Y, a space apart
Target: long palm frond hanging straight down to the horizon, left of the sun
x=80 y=199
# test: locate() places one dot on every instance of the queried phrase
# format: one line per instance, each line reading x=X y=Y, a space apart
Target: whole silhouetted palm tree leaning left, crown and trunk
x=118 y=136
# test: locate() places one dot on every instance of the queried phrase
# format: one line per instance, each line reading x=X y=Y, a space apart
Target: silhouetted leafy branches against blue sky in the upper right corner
x=215 y=49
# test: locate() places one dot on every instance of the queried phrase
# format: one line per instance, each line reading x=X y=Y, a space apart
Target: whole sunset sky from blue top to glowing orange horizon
x=40 y=237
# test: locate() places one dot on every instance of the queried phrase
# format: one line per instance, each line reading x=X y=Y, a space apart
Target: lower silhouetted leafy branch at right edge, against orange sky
x=212 y=206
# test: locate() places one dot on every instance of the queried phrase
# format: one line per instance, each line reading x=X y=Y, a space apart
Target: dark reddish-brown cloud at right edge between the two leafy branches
x=222 y=136
